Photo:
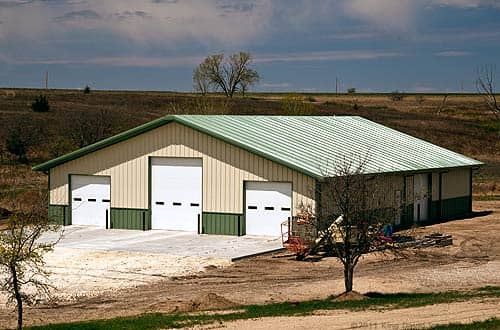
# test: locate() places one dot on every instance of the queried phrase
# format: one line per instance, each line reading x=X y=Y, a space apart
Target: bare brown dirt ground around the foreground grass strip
x=472 y=261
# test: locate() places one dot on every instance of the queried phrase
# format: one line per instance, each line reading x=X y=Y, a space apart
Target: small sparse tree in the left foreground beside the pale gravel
x=22 y=273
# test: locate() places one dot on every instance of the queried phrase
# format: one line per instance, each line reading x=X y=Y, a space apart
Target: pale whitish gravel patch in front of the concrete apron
x=77 y=273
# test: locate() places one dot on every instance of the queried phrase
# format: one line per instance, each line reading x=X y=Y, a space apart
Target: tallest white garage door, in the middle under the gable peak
x=176 y=193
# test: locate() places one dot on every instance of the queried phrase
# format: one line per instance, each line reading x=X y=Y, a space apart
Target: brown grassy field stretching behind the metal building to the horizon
x=460 y=122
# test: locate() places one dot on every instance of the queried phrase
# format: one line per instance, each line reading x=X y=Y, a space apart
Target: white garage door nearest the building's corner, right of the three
x=268 y=204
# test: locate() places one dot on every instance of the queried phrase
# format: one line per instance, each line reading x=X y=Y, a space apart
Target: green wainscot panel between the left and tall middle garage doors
x=125 y=218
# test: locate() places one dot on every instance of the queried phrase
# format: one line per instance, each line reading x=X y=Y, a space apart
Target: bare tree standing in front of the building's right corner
x=355 y=210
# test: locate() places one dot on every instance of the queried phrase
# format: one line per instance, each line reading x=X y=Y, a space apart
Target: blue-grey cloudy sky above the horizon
x=297 y=45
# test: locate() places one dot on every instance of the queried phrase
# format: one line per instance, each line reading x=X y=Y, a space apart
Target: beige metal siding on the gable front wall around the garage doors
x=225 y=167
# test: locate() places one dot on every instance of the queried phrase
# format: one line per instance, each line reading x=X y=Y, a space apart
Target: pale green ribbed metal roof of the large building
x=309 y=144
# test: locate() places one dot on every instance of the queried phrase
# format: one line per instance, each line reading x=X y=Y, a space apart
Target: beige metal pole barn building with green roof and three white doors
x=244 y=175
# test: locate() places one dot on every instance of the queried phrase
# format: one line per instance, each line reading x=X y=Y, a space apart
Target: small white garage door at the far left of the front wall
x=90 y=200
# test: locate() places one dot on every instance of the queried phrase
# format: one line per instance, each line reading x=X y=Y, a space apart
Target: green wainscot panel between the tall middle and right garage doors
x=223 y=224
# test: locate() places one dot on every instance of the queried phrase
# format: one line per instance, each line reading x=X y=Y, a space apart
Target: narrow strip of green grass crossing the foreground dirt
x=376 y=300
